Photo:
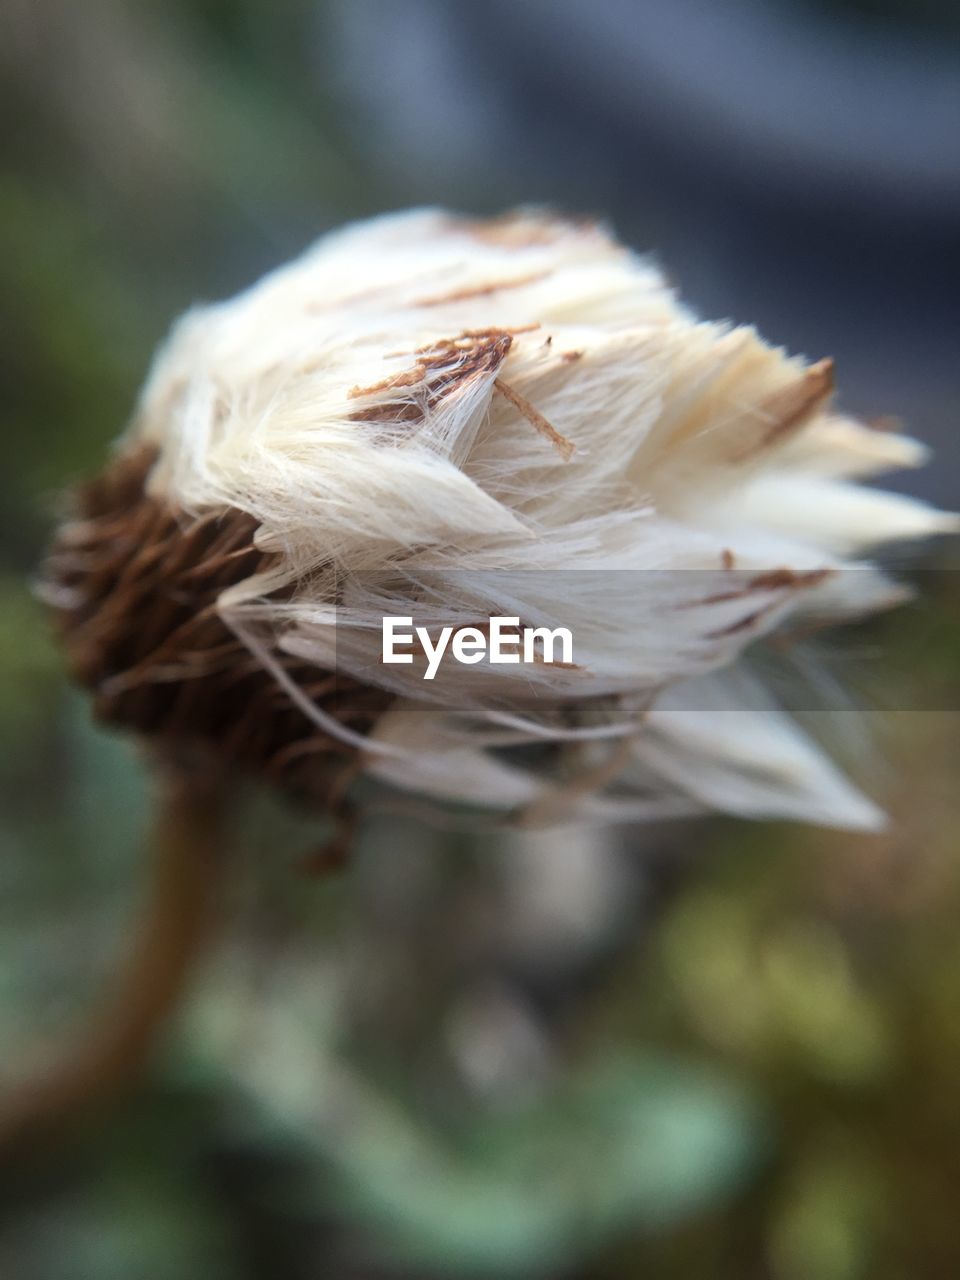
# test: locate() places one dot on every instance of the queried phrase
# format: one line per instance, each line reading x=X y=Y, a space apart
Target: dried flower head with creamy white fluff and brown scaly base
x=454 y=420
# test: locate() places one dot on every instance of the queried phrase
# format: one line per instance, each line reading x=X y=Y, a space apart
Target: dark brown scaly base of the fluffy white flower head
x=135 y=588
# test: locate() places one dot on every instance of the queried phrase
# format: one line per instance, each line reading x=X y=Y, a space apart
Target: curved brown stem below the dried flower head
x=188 y=854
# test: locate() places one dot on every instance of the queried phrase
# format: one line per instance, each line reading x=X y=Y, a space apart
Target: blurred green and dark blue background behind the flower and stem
x=717 y=1050
